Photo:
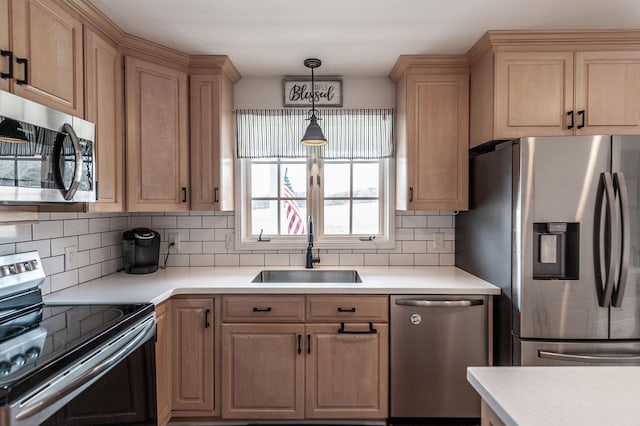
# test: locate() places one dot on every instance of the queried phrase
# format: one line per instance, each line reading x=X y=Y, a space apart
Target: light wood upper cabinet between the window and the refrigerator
x=432 y=102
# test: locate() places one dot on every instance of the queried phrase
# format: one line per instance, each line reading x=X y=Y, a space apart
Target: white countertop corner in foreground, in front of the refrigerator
x=565 y=396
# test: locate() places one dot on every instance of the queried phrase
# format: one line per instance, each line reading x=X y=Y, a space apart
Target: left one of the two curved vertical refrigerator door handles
x=604 y=287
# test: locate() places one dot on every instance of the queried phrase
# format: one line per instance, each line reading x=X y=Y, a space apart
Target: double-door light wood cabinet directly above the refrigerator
x=554 y=84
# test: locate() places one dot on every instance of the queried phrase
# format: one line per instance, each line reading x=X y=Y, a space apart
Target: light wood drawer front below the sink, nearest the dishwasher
x=347 y=308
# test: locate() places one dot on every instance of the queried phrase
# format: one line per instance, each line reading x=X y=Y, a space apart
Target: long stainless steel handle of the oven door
x=47 y=395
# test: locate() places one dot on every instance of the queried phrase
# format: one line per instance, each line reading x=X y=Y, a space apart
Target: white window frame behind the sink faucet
x=385 y=239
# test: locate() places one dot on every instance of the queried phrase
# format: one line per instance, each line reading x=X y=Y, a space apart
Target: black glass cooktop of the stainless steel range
x=37 y=341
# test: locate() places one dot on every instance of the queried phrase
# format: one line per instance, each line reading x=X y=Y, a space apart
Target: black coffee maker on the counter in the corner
x=141 y=250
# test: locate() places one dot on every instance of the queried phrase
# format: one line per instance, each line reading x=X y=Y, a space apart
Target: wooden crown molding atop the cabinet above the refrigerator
x=572 y=39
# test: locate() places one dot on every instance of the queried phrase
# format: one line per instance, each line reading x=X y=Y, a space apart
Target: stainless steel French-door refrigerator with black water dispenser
x=555 y=222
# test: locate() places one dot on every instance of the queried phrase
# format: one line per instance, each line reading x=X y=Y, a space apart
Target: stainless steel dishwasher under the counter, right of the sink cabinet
x=433 y=339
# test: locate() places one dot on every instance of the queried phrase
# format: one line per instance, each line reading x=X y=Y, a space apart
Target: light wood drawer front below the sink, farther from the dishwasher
x=263 y=308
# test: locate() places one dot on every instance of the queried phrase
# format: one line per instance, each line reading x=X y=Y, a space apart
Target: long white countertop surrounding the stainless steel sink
x=160 y=285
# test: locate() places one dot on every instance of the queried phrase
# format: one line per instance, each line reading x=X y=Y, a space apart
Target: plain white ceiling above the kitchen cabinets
x=351 y=37
